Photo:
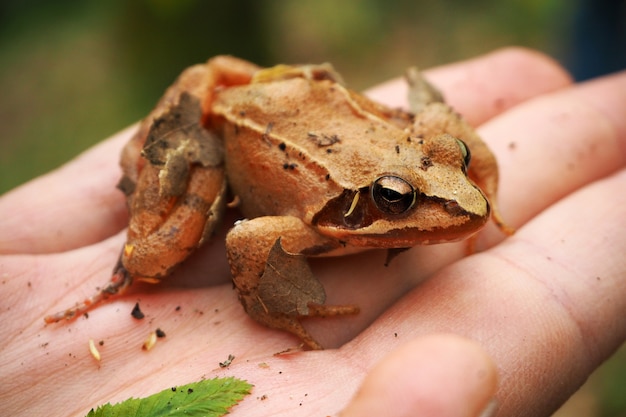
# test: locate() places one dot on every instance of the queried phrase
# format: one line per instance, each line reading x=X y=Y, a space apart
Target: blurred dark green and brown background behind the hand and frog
x=74 y=72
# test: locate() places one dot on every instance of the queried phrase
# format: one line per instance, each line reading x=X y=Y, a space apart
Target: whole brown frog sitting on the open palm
x=316 y=169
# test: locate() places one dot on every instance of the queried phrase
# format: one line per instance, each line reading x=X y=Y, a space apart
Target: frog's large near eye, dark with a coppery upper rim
x=393 y=195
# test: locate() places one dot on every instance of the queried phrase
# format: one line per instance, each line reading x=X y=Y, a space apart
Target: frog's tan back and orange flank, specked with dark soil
x=292 y=145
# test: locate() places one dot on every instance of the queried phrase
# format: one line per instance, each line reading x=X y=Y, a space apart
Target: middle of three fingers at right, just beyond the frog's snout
x=552 y=145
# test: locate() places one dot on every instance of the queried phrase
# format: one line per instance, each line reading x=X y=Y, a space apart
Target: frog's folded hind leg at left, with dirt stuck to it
x=173 y=178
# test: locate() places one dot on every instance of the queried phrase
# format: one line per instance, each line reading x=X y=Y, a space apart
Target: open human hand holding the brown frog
x=542 y=308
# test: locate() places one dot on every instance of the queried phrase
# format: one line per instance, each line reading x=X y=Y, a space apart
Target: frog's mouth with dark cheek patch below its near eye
x=354 y=218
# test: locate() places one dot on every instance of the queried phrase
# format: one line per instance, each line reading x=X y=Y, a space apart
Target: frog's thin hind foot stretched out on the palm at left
x=119 y=282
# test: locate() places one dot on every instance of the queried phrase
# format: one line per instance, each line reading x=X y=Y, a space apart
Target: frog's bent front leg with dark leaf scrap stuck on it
x=268 y=259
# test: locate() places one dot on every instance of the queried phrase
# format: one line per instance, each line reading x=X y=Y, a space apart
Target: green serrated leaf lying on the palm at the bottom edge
x=207 y=398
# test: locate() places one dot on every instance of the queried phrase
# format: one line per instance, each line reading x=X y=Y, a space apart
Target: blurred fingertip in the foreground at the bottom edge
x=438 y=375
